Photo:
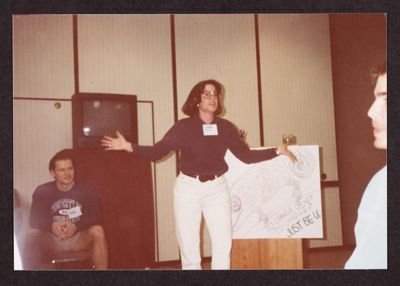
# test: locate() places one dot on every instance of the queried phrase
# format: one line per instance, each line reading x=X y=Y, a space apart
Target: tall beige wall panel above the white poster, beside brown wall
x=297 y=83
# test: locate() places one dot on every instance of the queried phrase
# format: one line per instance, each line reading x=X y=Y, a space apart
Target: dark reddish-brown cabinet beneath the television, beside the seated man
x=124 y=186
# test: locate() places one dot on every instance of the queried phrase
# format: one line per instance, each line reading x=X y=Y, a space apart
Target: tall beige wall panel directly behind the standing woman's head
x=221 y=47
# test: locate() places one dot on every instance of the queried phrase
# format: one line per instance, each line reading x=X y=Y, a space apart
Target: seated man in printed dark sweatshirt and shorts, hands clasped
x=65 y=216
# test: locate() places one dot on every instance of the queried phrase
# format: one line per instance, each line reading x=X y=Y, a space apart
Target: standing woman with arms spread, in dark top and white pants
x=200 y=188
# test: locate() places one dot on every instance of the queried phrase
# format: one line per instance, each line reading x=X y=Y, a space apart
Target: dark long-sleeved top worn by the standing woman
x=200 y=154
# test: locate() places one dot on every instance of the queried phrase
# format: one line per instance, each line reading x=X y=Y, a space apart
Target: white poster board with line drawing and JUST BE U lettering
x=276 y=198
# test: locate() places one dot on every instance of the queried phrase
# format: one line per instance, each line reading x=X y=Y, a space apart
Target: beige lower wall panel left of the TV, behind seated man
x=34 y=146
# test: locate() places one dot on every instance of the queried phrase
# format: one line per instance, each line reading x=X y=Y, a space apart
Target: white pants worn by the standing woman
x=193 y=198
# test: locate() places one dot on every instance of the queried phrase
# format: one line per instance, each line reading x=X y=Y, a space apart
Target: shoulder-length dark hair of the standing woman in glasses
x=190 y=106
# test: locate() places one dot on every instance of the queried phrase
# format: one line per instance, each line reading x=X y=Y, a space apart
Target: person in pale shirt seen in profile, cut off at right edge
x=371 y=226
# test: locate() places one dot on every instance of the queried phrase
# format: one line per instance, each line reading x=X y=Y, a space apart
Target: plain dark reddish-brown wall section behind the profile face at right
x=359 y=43
